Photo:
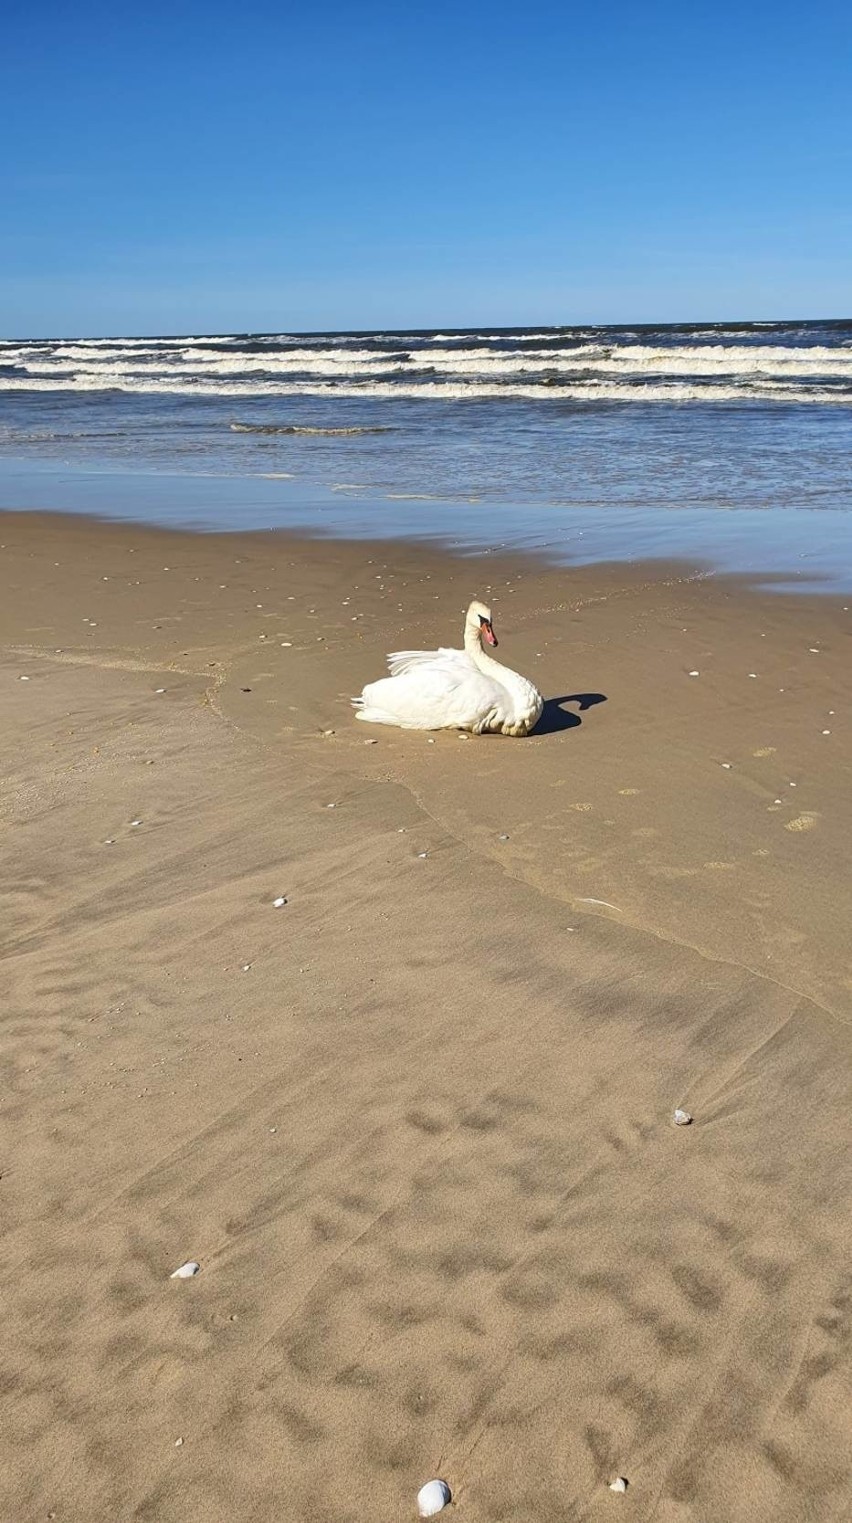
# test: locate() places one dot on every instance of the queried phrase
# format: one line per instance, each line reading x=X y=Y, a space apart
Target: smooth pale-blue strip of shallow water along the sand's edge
x=793 y=549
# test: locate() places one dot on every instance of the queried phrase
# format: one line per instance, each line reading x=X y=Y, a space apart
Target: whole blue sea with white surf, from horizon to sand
x=722 y=445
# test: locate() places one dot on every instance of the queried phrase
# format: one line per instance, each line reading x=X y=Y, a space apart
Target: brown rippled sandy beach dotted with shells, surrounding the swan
x=415 y=1125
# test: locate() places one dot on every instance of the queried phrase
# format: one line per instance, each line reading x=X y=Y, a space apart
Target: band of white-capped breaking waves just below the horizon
x=769 y=363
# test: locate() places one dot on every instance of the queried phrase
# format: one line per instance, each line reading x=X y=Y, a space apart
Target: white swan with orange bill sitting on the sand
x=453 y=689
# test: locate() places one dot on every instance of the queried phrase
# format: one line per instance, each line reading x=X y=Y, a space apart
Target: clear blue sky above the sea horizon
x=220 y=167
